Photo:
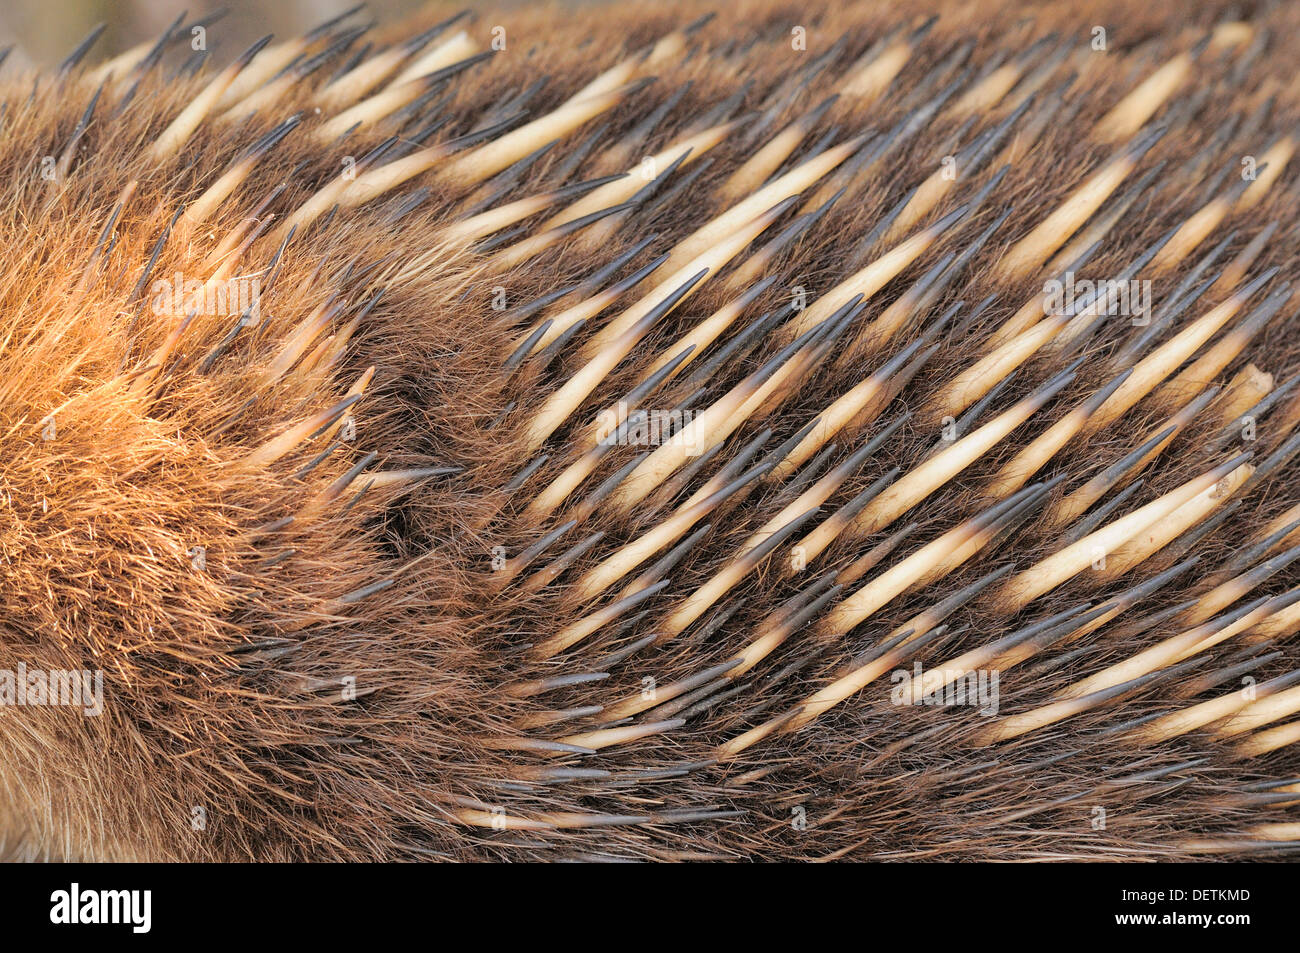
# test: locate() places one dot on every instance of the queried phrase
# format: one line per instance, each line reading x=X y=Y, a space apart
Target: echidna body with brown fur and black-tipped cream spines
x=647 y=434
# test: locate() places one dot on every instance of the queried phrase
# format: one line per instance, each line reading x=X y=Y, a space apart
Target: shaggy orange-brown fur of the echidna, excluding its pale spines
x=224 y=685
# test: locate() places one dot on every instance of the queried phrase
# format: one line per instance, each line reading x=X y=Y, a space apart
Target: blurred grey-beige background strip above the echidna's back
x=45 y=32
